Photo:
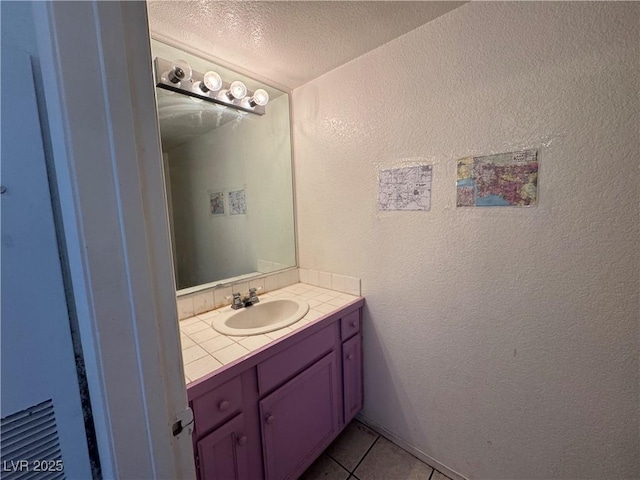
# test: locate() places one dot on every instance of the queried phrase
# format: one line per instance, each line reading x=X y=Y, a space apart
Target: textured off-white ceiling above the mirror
x=288 y=43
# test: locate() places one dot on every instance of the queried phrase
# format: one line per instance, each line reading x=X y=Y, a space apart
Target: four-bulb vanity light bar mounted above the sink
x=179 y=77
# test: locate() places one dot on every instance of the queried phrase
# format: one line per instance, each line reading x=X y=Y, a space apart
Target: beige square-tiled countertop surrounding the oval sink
x=204 y=350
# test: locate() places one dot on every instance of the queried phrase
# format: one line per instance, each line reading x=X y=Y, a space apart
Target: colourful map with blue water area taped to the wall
x=504 y=179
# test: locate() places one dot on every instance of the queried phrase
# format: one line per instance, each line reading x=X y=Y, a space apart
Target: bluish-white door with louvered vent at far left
x=42 y=417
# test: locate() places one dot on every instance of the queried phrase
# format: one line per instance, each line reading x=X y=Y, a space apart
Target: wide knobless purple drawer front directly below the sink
x=284 y=365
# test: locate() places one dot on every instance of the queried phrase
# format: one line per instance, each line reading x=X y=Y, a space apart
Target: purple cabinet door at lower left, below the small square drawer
x=223 y=455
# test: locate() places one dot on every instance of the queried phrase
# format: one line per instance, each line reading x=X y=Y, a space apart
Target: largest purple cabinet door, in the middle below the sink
x=300 y=419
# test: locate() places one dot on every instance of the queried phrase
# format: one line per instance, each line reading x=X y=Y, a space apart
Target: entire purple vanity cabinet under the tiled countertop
x=270 y=415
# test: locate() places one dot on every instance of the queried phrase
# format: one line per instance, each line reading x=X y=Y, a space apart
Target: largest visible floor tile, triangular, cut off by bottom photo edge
x=386 y=460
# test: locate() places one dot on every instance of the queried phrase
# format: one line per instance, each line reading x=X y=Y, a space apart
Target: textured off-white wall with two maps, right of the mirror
x=501 y=342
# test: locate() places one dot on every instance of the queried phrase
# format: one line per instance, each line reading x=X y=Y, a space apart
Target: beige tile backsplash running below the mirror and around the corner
x=216 y=297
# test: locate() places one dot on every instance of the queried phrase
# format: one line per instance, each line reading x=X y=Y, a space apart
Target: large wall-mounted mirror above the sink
x=229 y=182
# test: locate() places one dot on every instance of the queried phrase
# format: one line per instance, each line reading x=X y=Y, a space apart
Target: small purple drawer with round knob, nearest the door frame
x=217 y=405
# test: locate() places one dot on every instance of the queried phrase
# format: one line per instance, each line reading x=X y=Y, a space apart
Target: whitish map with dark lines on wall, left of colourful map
x=406 y=188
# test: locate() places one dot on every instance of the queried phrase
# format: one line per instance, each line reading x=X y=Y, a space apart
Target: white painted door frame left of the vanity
x=105 y=150
